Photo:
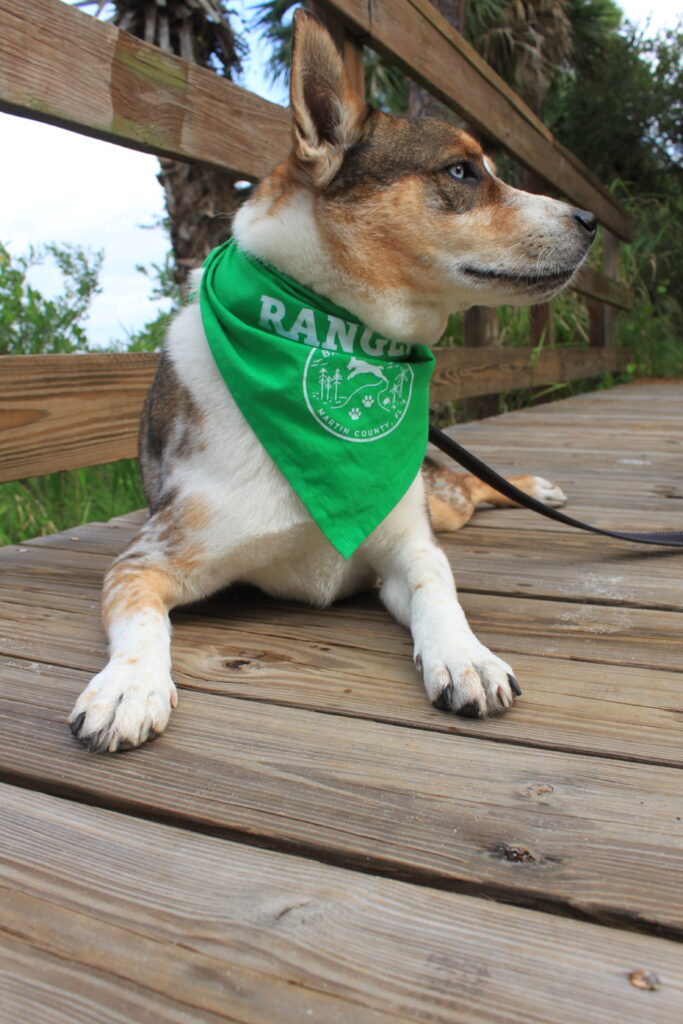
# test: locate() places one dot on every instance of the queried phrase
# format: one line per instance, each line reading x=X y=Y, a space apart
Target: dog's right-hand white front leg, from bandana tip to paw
x=460 y=674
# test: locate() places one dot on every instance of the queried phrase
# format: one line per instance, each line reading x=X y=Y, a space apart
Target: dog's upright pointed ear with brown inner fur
x=327 y=114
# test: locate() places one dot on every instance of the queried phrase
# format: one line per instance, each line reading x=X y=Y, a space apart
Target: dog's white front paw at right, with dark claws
x=467 y=679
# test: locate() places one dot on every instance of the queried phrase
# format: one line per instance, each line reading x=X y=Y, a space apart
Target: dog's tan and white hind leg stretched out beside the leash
x=454 y=497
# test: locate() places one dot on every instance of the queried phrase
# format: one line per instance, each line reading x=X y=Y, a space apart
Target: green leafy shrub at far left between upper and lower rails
x=30 y=323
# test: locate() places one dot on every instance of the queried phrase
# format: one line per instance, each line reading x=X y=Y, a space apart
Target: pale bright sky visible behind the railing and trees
x=66 y=188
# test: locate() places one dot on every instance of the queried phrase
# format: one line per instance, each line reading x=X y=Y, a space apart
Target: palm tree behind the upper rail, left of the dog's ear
x=200 y=200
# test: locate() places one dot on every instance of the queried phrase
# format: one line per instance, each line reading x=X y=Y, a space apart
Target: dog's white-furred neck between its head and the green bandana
x=288 y=238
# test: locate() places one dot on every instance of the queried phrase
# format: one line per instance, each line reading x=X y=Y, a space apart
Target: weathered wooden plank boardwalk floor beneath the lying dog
x=311 y=841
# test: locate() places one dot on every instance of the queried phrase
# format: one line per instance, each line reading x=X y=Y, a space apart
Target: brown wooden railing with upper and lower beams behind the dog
x=63 y=67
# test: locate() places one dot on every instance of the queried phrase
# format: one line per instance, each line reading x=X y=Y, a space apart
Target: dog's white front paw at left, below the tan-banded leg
x=122 y=707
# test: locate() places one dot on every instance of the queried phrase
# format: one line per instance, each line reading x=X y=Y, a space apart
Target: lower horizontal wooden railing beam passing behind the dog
x=65 y=412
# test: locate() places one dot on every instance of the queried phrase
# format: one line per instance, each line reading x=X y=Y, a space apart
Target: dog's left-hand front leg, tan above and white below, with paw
x=131 y=700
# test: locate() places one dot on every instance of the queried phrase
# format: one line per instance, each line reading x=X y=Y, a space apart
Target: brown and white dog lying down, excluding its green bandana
x=401 y=222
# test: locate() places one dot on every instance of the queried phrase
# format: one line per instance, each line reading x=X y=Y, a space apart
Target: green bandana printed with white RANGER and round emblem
x=341 y=411
